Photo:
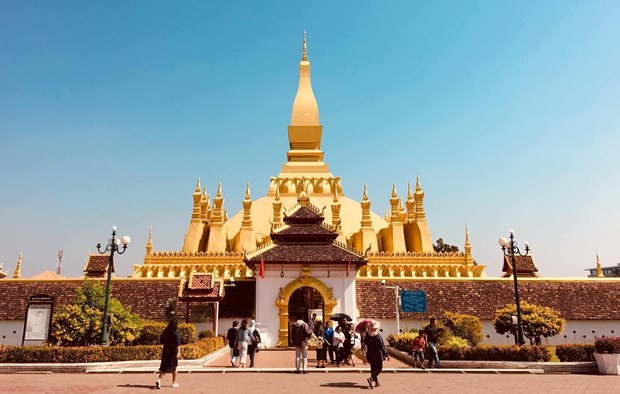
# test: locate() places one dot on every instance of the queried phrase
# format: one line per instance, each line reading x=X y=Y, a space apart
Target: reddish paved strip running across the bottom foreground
x=340 y=383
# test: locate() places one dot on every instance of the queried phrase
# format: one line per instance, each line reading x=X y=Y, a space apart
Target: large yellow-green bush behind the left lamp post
x=80 y=323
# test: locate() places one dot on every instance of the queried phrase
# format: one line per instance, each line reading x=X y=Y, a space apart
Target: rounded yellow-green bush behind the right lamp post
x=538 y=321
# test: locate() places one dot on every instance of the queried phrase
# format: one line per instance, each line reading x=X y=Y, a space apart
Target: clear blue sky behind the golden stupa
x=508 y=111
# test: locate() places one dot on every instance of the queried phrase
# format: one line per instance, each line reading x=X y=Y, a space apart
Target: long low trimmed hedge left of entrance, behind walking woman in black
x=90 y=354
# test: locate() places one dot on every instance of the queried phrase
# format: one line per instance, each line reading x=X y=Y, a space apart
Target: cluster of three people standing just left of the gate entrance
x=243 y=341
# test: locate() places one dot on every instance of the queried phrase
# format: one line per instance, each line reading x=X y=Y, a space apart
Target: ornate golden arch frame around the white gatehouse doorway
x=286 y=292
